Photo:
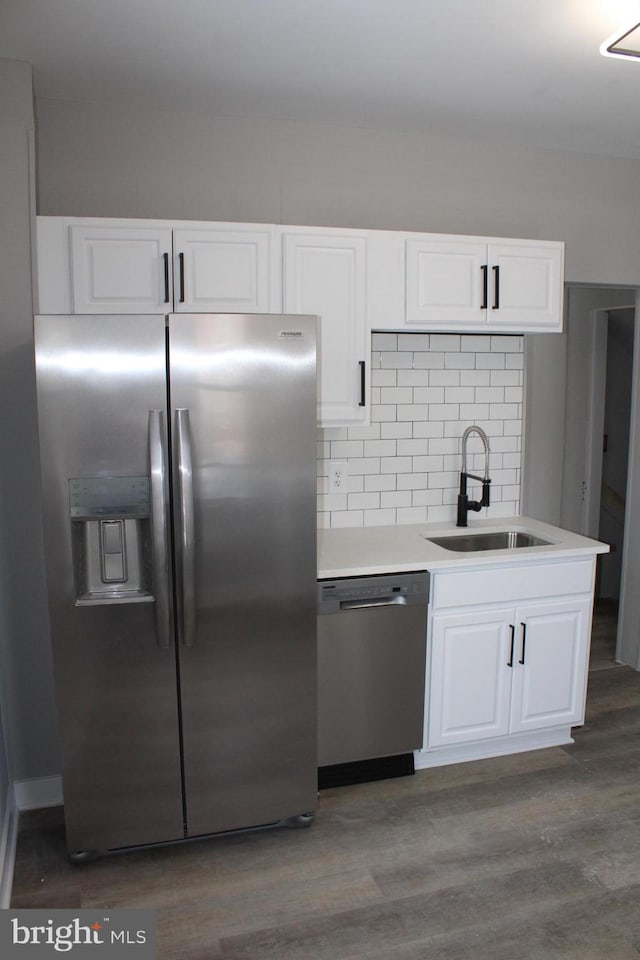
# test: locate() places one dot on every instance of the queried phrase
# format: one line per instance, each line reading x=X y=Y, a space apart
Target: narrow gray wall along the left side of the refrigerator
x=26 y=692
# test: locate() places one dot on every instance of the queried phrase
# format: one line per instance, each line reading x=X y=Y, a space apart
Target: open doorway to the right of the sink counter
x=600 y=401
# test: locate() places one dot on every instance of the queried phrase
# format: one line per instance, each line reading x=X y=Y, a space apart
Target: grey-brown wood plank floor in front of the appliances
x=527 y=857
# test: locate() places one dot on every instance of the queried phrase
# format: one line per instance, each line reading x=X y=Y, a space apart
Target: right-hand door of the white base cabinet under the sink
x=551 y=660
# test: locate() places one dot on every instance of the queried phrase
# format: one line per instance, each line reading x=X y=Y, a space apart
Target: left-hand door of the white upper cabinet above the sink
x=446 y=285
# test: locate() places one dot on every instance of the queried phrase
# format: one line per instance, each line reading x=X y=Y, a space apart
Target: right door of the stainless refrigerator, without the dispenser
x=243 y=395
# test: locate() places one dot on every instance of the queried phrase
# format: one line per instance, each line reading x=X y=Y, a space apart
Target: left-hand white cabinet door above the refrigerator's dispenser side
x=120 y=269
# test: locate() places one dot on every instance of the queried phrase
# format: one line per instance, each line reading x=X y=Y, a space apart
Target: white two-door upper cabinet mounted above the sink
x=480 y=285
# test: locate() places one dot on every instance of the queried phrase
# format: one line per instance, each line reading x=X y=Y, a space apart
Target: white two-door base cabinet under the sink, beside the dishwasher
x=508 y=656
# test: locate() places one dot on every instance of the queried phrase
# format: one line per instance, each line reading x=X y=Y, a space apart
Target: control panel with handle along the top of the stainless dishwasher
x=349 y=592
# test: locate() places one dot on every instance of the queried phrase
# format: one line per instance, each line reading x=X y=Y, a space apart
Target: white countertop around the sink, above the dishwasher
x=361 y=551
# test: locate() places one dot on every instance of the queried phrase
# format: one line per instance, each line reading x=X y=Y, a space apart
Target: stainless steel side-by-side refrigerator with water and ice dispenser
x=178 y=467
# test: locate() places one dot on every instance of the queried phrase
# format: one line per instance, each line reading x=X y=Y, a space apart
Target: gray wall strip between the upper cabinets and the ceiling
x=105 y=160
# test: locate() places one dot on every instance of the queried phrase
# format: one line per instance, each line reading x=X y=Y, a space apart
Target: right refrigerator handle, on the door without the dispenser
x=187 y=528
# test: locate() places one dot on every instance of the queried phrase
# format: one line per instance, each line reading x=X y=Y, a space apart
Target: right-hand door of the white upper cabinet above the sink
x=526 y=284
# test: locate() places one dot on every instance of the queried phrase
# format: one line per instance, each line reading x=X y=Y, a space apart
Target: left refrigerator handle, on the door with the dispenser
x=159 y=538
